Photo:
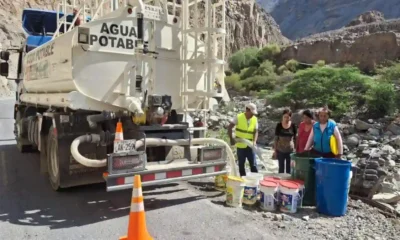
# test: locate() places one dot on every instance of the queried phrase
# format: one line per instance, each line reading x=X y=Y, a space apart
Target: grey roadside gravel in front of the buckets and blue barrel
x=360 y=222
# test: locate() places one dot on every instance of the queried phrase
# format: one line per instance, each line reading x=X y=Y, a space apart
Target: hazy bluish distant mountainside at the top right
x=300 y=18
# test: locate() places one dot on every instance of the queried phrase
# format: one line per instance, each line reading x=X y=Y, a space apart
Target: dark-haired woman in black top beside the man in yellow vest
x=285 y=140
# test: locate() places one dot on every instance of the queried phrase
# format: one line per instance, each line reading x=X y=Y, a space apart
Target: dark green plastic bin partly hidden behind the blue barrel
x=303 y=169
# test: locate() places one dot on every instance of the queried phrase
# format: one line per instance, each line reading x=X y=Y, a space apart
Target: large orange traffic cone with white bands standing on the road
x=137 y=229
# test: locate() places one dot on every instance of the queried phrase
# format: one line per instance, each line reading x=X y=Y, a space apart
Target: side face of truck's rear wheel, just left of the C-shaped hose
x=53 y=160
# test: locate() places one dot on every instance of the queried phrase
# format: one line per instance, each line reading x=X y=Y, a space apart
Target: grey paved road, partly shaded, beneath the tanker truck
x=29 y=209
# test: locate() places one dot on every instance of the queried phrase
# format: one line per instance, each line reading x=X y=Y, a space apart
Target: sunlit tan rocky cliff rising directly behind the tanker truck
x=248 y=24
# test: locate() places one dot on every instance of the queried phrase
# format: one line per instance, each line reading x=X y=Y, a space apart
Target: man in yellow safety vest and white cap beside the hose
x=247 y=128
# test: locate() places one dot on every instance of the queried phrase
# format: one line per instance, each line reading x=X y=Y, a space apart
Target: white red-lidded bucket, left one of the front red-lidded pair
x=269 y=193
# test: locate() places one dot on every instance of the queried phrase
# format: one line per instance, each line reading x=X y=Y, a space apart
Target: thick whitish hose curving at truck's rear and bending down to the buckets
x=95 y=138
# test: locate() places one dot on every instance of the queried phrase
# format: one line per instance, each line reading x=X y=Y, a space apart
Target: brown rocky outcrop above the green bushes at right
x=367 y=42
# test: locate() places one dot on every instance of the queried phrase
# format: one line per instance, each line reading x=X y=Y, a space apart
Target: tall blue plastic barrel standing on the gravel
x=332 y=186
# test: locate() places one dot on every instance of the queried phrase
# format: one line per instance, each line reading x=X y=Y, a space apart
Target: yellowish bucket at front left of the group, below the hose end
x=234 y=191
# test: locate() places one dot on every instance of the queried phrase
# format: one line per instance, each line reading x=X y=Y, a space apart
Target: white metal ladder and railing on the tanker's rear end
x=211 y=37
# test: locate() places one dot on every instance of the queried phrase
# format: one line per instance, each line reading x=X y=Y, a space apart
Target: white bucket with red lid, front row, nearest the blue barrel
x=289 y=193
